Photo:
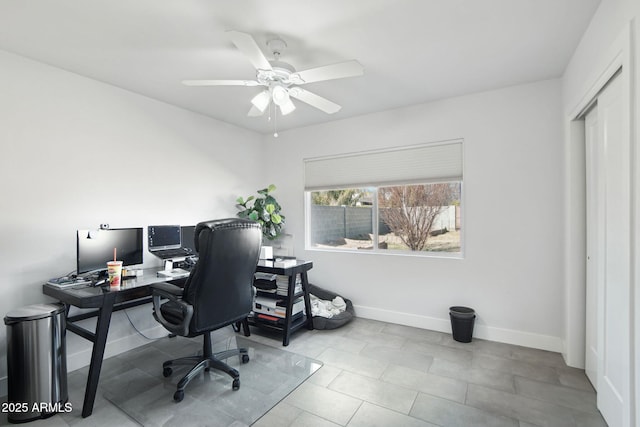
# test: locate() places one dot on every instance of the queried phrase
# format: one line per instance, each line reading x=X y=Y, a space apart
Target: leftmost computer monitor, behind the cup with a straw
x=95 y=248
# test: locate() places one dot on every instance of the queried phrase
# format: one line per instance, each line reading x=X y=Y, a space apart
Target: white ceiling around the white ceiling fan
x=413 y=51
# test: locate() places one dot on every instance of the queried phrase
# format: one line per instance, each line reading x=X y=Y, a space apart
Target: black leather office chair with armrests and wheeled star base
x=217 y=293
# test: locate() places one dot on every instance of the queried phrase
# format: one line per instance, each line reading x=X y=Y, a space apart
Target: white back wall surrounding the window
x=512 y=271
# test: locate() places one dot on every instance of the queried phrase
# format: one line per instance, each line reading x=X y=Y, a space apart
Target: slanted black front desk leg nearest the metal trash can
x=102 y=330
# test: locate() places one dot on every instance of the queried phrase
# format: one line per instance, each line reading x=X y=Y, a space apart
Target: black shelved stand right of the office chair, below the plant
x=299 y=268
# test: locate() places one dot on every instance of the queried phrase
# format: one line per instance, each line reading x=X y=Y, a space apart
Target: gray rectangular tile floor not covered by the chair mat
x=382 y=374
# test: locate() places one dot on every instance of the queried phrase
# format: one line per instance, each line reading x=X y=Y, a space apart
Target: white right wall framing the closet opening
x=613 y=19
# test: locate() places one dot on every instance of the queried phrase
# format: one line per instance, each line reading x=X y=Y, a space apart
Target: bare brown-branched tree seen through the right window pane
x=410 y=210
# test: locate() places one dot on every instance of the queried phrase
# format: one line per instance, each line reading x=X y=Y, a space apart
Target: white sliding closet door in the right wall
x=611 y=235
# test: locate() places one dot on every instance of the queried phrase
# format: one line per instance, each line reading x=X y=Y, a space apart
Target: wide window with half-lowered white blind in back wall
x=412 y=206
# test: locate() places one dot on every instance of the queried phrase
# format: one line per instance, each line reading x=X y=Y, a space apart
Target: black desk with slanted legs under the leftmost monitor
x=132 y=293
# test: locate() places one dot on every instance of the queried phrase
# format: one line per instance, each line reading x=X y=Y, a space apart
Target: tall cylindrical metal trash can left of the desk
x=36 y=362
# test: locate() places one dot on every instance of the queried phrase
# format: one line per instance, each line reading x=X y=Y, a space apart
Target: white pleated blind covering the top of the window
x=414 y=164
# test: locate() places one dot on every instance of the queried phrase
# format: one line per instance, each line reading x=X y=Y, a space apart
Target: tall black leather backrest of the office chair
x=220 y=285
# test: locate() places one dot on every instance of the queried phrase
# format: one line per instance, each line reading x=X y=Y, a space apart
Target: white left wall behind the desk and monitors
x=77 y=153
